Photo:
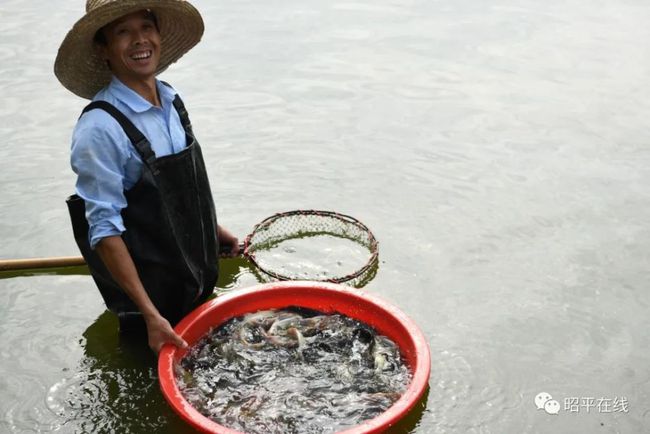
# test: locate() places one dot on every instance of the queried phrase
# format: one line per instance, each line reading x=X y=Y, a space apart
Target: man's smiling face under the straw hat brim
x=132 y=47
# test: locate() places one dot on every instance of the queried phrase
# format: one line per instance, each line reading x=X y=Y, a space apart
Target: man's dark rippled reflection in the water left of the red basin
x=114 y=388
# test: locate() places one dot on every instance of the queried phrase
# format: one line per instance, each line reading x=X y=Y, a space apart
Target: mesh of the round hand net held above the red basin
x=307 y=225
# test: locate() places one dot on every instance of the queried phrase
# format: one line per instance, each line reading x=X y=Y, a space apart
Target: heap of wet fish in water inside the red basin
x=293 y=370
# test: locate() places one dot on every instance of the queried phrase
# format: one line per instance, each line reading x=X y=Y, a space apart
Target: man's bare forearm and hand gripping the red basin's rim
x=119 y=263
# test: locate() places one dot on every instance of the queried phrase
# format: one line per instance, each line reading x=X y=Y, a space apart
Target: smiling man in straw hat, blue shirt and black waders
x=143 y=215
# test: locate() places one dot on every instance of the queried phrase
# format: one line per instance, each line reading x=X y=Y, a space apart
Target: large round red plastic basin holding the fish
x=325 y=297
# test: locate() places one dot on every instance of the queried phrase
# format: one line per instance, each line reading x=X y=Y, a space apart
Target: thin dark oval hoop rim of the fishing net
x=368 y=241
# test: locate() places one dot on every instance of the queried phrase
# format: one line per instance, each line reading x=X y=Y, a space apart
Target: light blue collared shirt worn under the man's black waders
x=105 y=161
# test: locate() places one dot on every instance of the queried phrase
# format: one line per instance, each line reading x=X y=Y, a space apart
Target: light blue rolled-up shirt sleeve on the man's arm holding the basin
x=98 y=157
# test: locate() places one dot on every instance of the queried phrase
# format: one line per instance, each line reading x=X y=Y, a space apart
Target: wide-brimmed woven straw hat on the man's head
x=81 y=69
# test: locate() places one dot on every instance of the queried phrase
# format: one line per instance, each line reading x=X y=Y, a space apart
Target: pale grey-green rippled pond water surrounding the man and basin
x=499 y=151
